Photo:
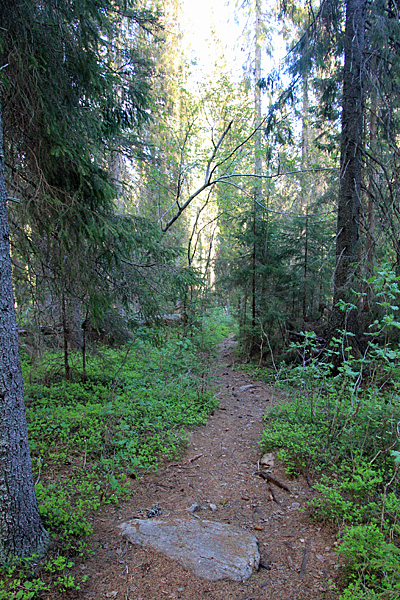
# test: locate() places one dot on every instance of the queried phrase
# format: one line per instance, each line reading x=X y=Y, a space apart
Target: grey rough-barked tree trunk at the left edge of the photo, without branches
x=21 y=530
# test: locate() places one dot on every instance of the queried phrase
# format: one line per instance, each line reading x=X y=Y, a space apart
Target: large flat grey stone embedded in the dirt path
x=209 y=549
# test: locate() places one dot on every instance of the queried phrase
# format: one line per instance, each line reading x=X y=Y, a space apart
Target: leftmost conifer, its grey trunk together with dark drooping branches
x=59 y=113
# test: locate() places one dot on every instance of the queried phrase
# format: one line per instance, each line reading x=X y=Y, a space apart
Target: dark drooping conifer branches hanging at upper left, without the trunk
x=62 y=120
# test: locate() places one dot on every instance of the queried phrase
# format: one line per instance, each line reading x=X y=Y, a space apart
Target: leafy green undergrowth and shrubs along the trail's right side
x=343 y=431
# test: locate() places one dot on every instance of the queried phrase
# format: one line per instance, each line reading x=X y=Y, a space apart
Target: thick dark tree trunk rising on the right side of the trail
x=347 y=241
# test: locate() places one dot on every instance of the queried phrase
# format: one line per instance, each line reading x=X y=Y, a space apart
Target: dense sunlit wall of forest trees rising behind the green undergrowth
x=129 y=191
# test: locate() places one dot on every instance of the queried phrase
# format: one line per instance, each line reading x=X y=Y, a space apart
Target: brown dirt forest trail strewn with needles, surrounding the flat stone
x=217 y=468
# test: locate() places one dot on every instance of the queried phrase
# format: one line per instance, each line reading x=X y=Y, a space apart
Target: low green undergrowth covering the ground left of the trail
x=90 y=440
